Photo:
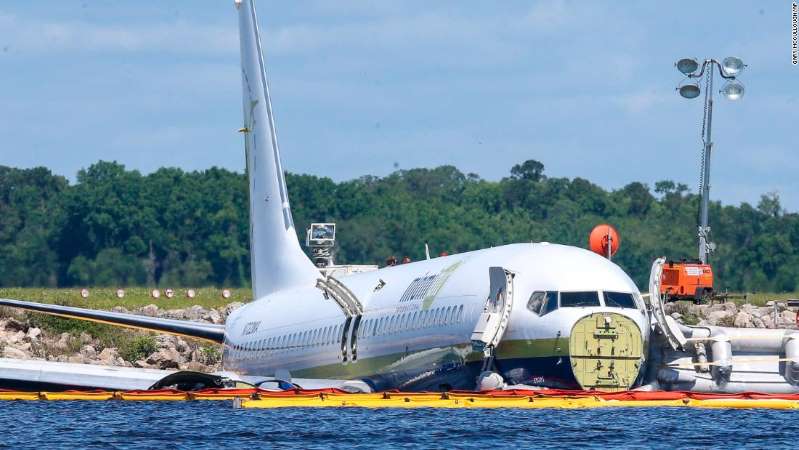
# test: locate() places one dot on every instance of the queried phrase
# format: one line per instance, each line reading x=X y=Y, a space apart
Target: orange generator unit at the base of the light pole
x=687 y=280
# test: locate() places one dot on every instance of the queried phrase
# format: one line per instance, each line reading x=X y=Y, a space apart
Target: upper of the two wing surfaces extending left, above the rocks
x=206 y=331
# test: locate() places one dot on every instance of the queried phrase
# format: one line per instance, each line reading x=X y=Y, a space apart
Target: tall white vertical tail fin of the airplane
x=277 y=260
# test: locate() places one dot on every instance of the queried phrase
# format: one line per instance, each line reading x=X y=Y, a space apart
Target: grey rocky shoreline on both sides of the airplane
x=20 y=339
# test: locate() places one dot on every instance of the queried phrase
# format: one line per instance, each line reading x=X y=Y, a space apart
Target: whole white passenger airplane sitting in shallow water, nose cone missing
x=535 y=314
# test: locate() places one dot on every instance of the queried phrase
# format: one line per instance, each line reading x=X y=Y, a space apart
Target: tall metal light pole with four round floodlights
x=729 y=68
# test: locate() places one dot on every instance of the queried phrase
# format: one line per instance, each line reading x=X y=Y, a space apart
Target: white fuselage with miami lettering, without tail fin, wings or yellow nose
x=418 y=319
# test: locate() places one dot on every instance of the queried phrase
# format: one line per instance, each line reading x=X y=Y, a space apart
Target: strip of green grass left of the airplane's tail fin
x=105 y=298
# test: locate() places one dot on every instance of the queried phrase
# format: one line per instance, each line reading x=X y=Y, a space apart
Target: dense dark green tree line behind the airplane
x=118 y=227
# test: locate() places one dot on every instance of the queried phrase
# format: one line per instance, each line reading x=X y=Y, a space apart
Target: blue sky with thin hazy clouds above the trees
x=366 y=87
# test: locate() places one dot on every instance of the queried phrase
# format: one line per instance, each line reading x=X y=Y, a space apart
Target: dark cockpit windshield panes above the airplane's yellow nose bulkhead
x=544 y=302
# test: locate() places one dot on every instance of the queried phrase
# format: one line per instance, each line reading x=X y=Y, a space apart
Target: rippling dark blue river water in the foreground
x=194 y=425
